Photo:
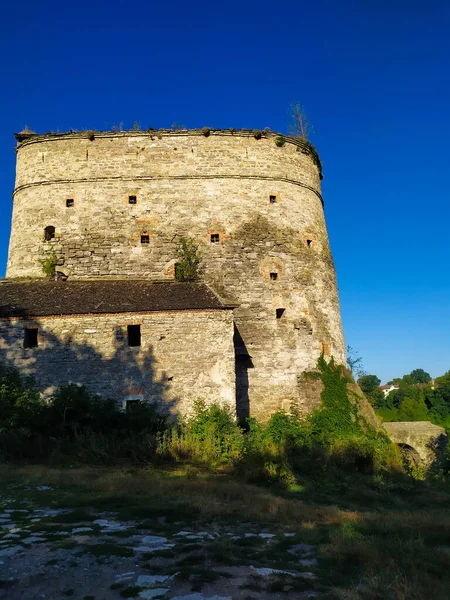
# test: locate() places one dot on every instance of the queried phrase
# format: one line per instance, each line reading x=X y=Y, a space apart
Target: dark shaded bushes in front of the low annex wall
x=72 y=425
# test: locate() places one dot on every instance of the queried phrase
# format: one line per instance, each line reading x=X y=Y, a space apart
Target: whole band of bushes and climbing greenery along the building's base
x=77 y=426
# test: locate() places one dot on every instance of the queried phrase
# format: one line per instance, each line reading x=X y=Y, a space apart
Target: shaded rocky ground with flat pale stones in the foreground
x=82 y=553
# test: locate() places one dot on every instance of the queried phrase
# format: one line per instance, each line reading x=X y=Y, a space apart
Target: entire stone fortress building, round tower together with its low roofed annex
x=109 y=208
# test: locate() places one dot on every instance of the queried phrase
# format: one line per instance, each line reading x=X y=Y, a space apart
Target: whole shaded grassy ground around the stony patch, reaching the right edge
x=375 y=539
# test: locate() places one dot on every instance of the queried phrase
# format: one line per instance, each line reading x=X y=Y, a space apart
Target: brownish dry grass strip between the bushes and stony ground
x=210 y=496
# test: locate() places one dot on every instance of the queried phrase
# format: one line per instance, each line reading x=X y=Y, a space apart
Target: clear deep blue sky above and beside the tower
x=373 y=76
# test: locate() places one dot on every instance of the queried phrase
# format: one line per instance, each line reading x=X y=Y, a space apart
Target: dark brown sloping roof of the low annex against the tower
x=43 y=297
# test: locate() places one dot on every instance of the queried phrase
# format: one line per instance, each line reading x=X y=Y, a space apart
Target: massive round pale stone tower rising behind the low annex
x=115 y=204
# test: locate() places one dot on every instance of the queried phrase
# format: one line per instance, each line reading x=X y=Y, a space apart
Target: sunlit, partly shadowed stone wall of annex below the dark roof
x=184 y=355
